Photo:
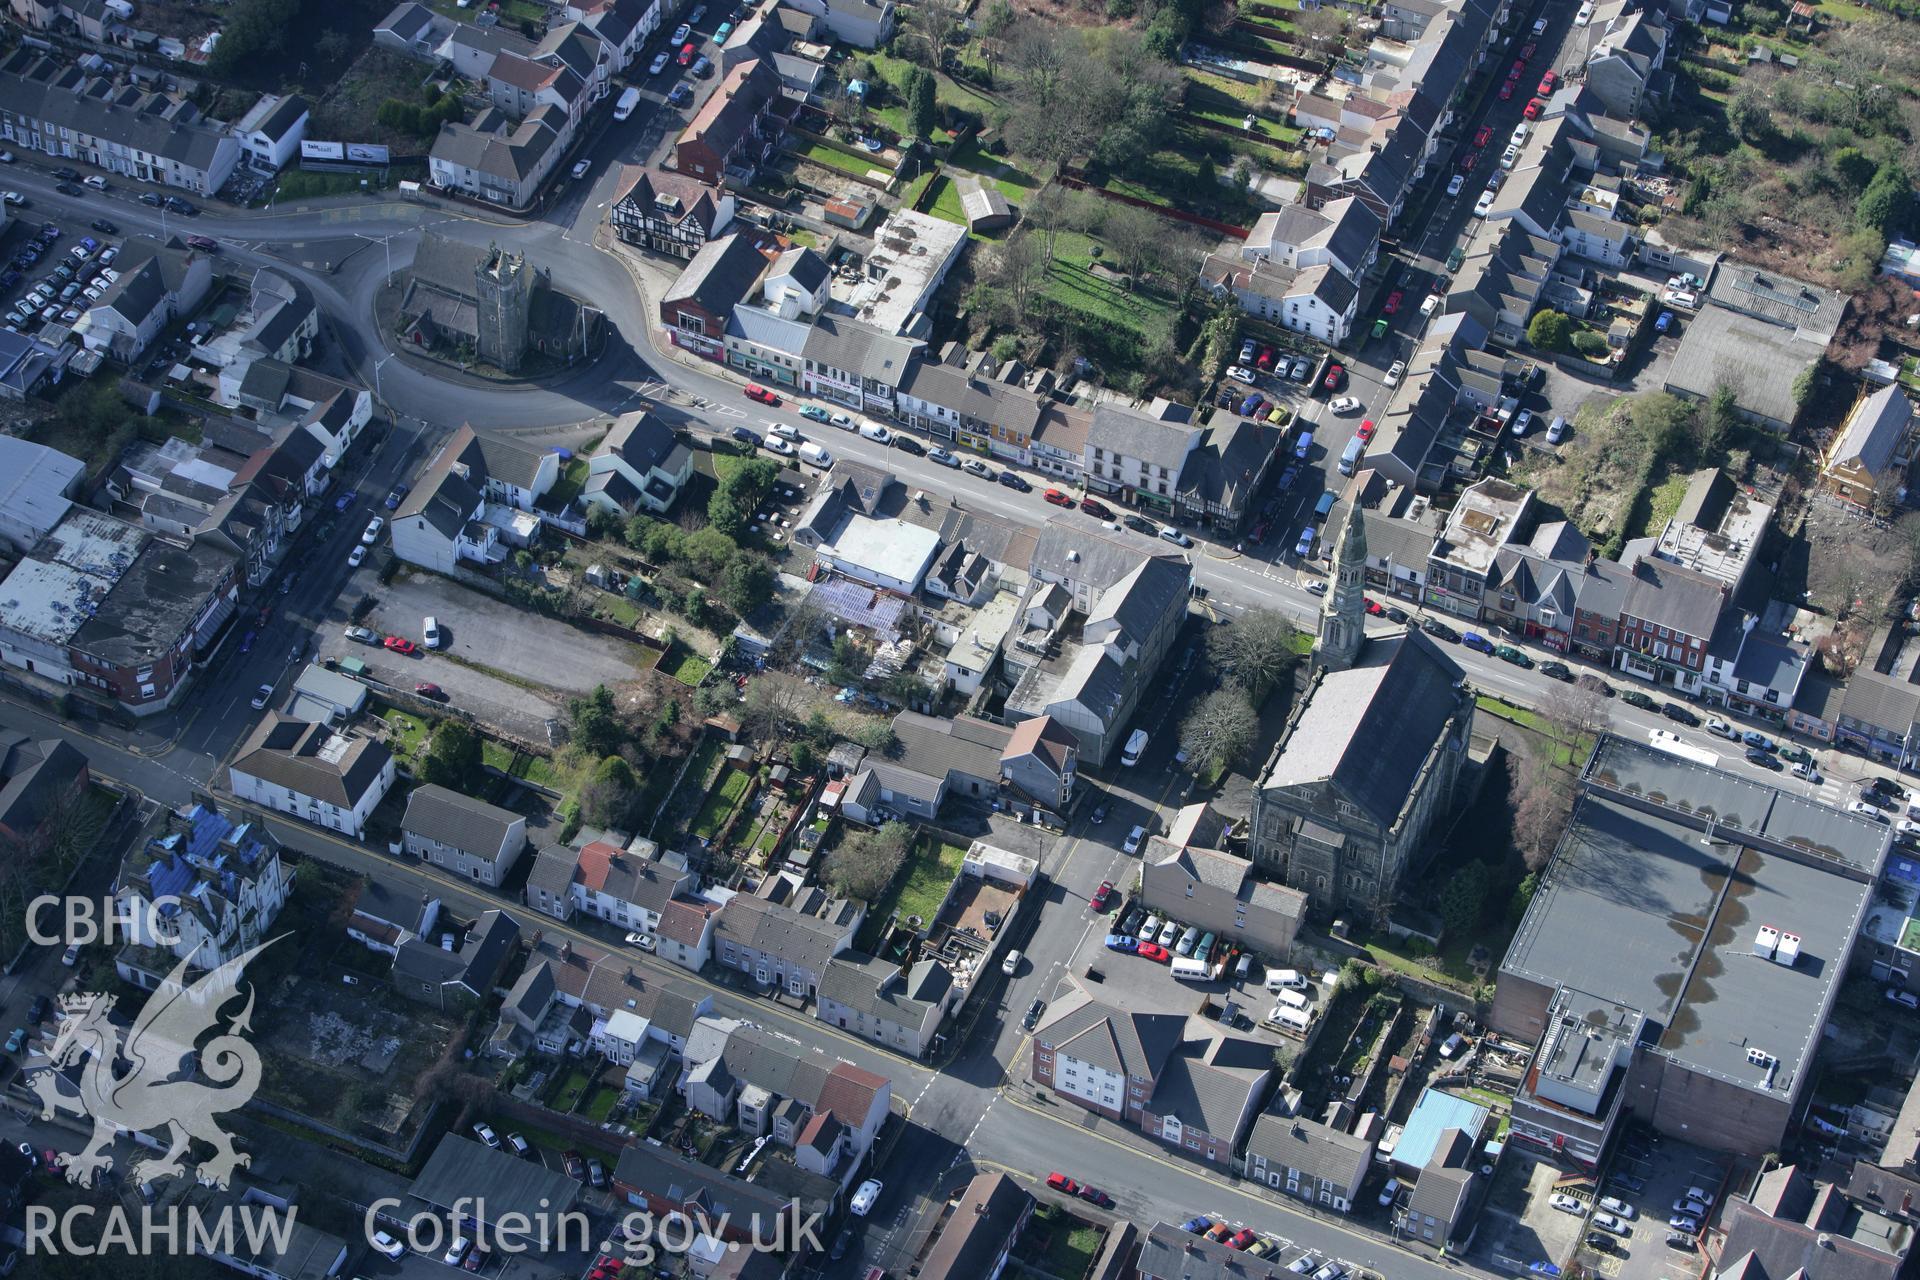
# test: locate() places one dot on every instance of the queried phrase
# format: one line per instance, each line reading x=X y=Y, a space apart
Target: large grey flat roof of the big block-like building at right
x=1643 y=909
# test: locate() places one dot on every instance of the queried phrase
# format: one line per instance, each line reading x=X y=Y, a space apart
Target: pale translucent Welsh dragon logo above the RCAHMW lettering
x=128 y=1087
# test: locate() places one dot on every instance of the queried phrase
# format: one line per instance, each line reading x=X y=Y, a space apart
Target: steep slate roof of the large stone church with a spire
x=1370 y=730
